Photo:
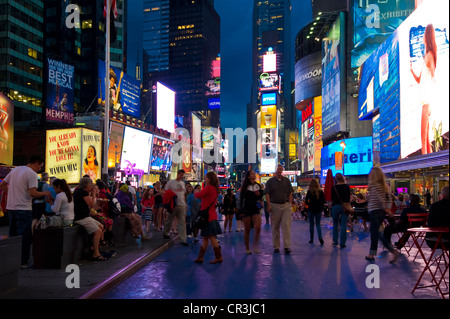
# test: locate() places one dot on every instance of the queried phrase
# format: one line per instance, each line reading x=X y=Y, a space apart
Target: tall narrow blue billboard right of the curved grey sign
x=333 y=65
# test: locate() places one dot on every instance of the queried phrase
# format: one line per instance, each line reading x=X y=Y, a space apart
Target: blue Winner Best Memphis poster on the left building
x=60 y=92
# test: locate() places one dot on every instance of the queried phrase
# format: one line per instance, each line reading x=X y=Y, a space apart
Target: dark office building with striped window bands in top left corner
x=21 y=58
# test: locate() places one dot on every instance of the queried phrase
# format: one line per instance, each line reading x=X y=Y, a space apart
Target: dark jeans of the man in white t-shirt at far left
x=20 y=225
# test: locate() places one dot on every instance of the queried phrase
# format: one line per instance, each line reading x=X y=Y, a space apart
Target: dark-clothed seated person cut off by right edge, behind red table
x=439 y=216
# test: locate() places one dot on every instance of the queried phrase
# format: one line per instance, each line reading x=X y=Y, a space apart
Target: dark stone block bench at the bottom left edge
x=10 y=257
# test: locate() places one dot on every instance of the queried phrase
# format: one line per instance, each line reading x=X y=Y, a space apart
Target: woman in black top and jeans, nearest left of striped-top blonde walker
x=340 y=193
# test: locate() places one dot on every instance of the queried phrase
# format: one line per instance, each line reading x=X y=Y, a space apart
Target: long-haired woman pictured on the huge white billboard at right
x=427 y=82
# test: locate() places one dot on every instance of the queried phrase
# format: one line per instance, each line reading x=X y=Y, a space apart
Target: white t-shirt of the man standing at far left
x=20 y=180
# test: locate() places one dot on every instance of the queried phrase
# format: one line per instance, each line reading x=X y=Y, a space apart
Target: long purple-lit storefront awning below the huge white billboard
x=424 y=161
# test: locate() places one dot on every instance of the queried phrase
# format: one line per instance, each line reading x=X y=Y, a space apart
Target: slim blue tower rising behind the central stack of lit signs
x=272 y=33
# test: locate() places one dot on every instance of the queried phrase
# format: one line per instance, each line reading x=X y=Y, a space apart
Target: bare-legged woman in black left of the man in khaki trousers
x=251 y=204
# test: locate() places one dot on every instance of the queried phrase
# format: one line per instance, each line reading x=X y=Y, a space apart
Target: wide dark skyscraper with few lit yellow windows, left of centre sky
x=181 y=39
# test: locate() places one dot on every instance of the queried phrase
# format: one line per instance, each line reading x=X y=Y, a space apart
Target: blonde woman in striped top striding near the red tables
x=379 y=205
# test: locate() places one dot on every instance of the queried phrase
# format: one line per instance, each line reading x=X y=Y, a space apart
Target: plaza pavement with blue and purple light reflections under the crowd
x=160 y=269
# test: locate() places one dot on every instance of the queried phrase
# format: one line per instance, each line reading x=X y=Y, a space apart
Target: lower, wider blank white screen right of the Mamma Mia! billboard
x=136 y=149
